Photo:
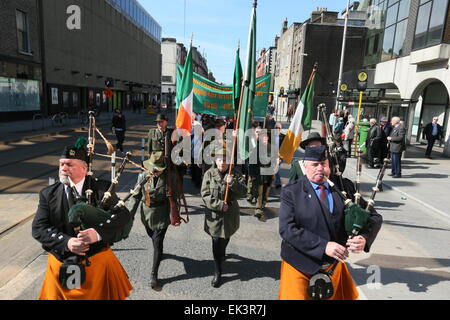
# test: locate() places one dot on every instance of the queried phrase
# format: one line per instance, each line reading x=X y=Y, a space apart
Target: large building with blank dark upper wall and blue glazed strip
x=89 y=43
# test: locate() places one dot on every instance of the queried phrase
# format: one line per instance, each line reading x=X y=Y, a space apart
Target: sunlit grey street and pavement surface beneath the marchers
x=409 y=260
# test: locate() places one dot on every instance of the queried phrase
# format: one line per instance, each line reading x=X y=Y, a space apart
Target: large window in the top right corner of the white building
x=430 y=23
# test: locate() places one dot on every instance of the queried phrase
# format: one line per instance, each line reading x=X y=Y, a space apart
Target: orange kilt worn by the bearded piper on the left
x=106 y=279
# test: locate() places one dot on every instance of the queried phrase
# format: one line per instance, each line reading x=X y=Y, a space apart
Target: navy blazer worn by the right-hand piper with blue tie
x=305 y=228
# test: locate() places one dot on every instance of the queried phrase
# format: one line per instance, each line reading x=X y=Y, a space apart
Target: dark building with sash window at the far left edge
x=21 y=86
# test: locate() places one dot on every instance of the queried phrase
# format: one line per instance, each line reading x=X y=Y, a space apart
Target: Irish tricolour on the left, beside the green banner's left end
x=185 y=109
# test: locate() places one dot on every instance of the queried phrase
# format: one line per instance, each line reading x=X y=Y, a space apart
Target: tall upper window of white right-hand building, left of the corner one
x=395 y=29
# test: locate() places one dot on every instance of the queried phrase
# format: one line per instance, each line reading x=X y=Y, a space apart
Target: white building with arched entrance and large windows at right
x=413 y=57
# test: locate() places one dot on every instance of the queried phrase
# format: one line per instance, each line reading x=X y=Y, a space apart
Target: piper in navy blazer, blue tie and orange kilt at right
x=312 y=228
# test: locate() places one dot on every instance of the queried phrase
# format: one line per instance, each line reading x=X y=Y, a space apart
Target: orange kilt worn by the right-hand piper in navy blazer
x=294 y=284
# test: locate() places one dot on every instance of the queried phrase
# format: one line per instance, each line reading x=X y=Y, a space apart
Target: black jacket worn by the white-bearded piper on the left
x=50 y=225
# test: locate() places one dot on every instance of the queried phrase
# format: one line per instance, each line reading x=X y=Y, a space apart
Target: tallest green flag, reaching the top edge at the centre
x=248 y=95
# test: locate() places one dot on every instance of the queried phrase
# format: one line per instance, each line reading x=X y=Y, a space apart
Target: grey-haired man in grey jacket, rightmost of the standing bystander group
x=397 y=146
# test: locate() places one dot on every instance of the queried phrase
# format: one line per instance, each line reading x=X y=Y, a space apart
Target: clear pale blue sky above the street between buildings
x=218 y=25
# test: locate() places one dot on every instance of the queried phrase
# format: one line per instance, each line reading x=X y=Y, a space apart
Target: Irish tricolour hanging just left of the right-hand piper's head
x=301 y=122
